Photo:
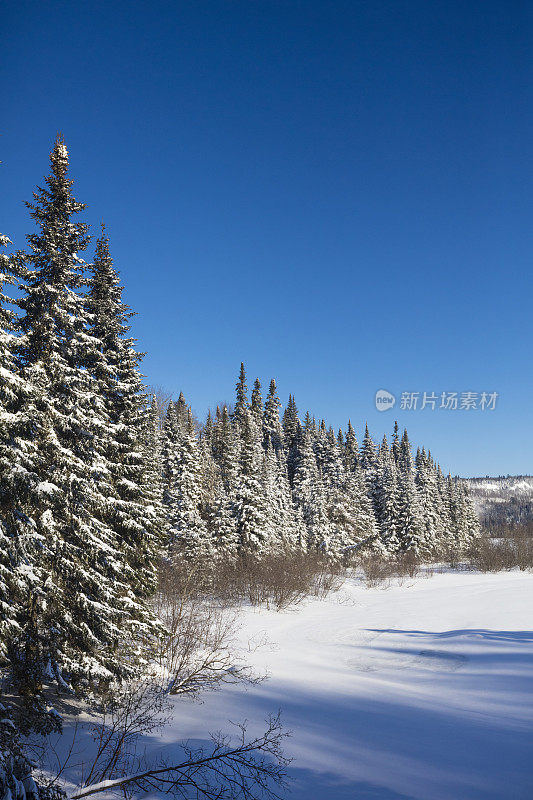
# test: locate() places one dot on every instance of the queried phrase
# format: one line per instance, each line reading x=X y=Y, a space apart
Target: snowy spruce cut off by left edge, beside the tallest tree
x=20 y=549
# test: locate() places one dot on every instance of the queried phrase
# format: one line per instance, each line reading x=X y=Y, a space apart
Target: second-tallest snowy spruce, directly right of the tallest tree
x=126 y=467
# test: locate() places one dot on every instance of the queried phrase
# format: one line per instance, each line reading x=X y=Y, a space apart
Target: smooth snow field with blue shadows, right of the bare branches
x=422 y=689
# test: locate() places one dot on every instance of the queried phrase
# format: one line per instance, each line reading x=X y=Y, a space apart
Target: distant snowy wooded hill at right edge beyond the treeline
x=503 y=501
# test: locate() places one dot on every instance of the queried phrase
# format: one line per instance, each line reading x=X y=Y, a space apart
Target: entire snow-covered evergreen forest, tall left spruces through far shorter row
x=94 y=490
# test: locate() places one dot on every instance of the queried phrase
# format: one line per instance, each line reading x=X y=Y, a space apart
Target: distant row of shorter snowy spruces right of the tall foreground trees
x=252 y=481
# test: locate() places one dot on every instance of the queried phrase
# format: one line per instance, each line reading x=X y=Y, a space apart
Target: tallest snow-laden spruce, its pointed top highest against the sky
x=80 y=627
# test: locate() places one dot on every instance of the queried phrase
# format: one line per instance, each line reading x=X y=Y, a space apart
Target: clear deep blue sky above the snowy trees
x=338 y=194
